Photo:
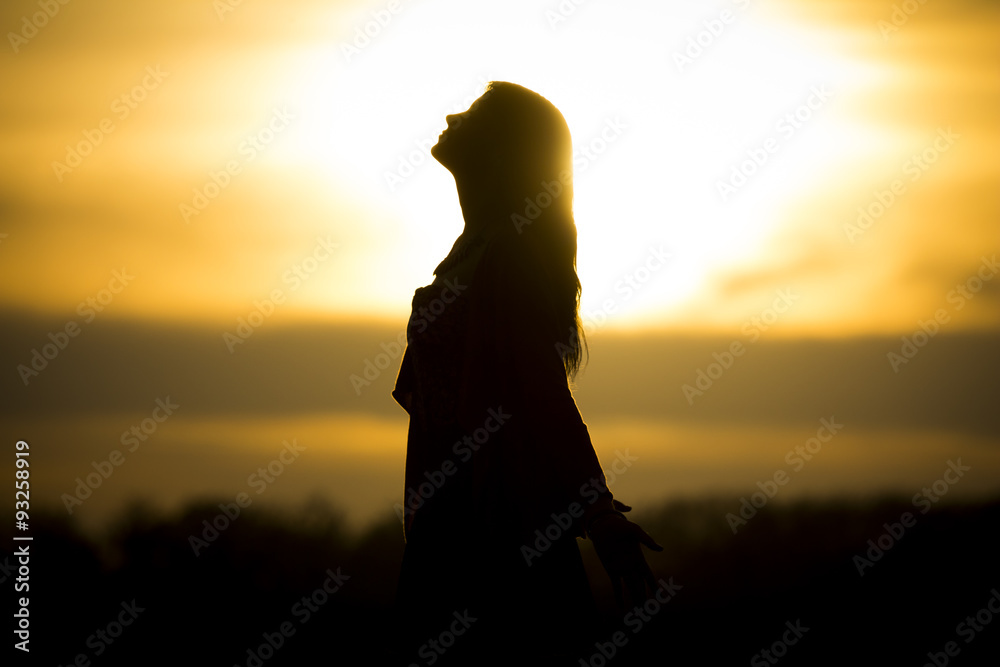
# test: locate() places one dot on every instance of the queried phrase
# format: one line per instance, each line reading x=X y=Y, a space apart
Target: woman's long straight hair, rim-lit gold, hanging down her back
x=532 y=153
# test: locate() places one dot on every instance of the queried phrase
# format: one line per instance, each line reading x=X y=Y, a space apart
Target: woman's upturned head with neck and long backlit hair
x=512 y=158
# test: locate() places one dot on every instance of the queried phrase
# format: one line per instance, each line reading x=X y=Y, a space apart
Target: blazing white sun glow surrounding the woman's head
x=656 y=133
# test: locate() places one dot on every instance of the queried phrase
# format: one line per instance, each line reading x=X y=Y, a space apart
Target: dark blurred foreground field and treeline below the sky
x=789 y=567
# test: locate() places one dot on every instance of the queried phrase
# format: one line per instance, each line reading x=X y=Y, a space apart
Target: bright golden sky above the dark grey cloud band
x=332 y=200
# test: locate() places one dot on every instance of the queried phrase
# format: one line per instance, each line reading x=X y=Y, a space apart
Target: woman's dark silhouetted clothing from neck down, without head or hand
x=499 y=468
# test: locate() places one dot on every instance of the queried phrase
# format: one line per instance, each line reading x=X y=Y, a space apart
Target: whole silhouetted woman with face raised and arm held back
x=501 y=476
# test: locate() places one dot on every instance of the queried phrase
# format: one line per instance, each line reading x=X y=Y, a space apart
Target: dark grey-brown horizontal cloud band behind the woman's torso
x=120 y=366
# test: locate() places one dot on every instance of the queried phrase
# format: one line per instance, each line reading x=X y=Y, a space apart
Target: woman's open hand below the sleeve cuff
x=617 y=543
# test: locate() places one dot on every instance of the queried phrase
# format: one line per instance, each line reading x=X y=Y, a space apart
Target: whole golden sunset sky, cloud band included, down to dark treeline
x=169 y=168
